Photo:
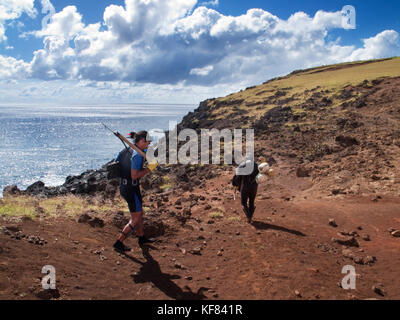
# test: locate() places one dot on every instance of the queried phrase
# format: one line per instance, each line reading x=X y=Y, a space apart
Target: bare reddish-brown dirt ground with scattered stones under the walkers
x=287 y=248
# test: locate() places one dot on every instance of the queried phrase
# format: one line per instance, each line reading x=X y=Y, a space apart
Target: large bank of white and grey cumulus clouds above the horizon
x=175 y=43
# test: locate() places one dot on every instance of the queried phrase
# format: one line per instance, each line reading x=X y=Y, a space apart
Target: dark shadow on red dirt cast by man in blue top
x=151 y=272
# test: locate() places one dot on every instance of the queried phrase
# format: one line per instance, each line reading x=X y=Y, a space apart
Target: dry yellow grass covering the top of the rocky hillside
x=332 y=78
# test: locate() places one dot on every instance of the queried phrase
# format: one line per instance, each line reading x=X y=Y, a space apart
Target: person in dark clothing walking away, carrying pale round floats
x=248 y=187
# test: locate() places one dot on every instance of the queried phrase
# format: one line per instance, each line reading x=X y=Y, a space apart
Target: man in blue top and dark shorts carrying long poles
x=130 y=190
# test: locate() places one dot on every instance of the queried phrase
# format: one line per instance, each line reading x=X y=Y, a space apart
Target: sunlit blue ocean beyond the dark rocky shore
x=50 y=143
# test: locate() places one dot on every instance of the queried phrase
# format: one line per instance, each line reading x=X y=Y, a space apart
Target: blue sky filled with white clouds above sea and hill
x=178 y=51
